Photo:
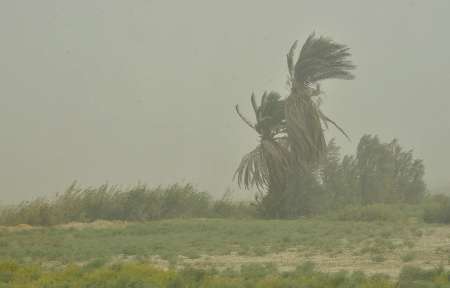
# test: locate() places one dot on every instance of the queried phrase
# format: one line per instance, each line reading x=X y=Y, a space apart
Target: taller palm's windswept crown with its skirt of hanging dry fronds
x=320 y=58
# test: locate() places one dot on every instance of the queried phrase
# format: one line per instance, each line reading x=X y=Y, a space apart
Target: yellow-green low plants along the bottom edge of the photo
x=143 y=275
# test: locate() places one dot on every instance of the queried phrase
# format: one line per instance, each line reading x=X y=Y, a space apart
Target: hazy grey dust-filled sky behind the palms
x=128 y=91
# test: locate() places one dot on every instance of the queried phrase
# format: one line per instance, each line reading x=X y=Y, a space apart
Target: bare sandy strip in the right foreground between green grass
x=432 y=250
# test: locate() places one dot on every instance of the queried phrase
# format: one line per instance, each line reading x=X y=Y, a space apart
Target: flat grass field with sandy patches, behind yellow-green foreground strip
x=224 y=244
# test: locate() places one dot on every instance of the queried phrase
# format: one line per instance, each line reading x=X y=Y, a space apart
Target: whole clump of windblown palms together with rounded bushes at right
x=296 y=171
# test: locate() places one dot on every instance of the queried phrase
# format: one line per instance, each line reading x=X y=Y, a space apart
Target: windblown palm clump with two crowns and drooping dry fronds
x=291 y=130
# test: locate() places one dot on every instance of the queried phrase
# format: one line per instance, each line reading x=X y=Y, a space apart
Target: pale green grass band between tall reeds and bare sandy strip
x=195 y=237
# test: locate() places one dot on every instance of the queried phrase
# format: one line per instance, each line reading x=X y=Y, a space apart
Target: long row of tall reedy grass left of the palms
x=138 y=203
